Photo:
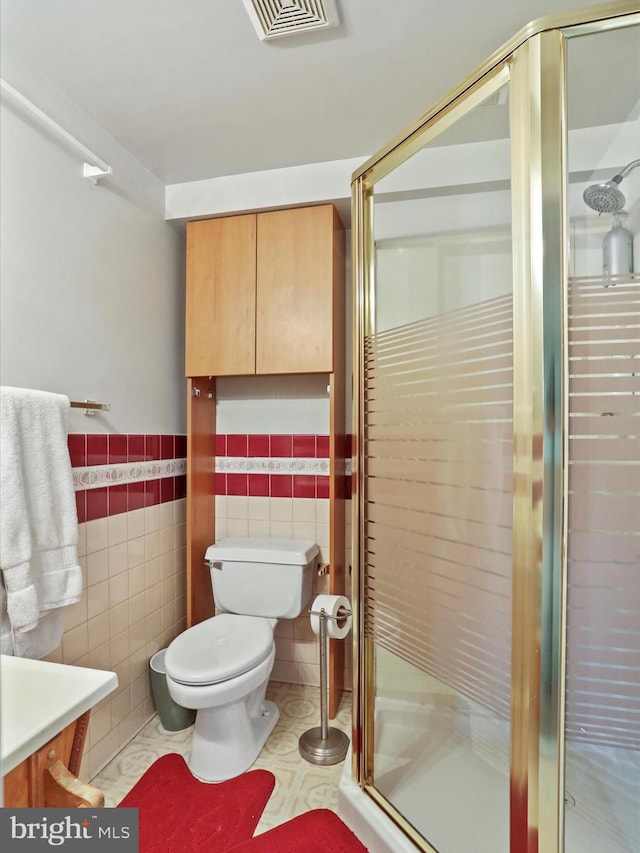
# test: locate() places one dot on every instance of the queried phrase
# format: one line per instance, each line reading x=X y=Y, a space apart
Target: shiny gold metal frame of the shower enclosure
x=534 y=63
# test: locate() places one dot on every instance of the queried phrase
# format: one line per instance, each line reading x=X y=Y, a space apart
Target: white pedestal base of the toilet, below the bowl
x=227 y=741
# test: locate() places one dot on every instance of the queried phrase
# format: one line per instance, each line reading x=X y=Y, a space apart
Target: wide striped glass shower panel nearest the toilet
x=438 y=513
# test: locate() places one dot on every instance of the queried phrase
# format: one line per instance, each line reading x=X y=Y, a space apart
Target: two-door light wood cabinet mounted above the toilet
x=261 y=291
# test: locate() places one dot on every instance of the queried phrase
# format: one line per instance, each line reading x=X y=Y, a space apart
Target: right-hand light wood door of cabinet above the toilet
x=295 y=290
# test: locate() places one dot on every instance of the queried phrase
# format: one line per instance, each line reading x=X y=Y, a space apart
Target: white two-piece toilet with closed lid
x=221 y=666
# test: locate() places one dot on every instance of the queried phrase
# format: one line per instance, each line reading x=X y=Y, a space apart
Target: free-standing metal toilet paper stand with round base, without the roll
x=324 y=744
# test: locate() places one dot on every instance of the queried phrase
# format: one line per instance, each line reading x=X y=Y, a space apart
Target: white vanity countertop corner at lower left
x=38 y=699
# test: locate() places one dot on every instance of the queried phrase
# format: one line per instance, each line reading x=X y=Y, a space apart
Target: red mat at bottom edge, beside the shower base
x=318 y=831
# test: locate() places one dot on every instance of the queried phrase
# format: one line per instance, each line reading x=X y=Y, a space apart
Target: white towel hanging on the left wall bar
x=38 y=520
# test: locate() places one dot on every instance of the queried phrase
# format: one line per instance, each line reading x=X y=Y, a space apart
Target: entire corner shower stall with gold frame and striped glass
x=497 y=457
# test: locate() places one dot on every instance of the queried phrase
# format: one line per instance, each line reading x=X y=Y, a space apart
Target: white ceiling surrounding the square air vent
x=190 y=91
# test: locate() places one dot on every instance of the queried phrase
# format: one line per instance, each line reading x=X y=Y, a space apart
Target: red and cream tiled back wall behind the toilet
x=274 y=486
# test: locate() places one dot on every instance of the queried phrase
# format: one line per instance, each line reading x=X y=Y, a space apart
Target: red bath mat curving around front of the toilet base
x=178 y=813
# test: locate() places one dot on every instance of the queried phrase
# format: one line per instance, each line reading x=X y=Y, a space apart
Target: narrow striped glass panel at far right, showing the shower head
x=602 y=730
